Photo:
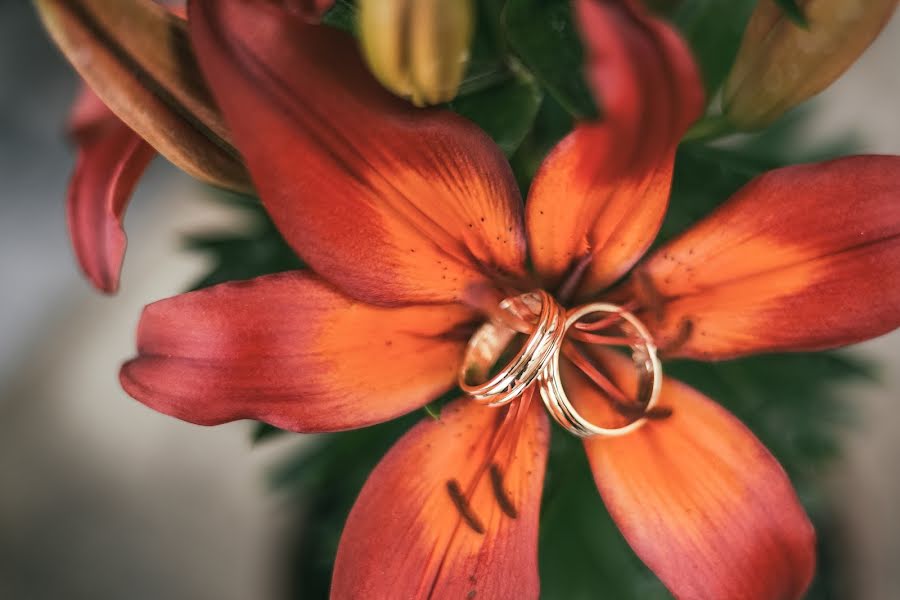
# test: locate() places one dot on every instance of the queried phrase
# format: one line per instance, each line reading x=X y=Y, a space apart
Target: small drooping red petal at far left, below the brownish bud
x=111 y=159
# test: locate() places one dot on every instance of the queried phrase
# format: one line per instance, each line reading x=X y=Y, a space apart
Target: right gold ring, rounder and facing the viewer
x=643 y=353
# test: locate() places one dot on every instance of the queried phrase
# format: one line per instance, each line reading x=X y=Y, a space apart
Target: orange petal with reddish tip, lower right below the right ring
x=699 y=499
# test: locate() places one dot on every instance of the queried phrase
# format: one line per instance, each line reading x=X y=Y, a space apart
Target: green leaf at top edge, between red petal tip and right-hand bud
x=714 y=29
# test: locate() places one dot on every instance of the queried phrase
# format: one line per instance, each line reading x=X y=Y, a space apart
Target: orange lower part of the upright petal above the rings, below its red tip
x=591 y=231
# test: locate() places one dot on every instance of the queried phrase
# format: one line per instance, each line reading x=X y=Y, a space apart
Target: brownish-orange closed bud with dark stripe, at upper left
x=136 y=57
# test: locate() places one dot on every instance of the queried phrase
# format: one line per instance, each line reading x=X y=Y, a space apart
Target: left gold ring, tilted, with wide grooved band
x=486 y=347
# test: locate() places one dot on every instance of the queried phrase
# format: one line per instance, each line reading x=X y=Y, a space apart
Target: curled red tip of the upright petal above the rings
x=645 y=81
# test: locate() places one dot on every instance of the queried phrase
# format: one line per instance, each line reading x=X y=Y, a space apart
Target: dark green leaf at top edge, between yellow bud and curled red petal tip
x=543 y=35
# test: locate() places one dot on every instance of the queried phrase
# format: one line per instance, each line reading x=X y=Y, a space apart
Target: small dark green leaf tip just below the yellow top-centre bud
x=506 y=111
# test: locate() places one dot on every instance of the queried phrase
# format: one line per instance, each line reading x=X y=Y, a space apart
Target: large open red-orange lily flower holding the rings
x=407 y=216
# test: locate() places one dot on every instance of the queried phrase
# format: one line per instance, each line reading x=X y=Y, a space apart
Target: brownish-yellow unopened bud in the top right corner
x=780 y=63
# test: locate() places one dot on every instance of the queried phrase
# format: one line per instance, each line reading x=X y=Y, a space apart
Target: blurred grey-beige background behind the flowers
x=102 y=498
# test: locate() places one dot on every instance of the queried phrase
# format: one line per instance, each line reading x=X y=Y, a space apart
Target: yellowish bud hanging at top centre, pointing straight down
x=418 y=49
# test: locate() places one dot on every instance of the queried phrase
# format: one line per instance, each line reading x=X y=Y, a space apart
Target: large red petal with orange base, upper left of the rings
x=390 y=203
